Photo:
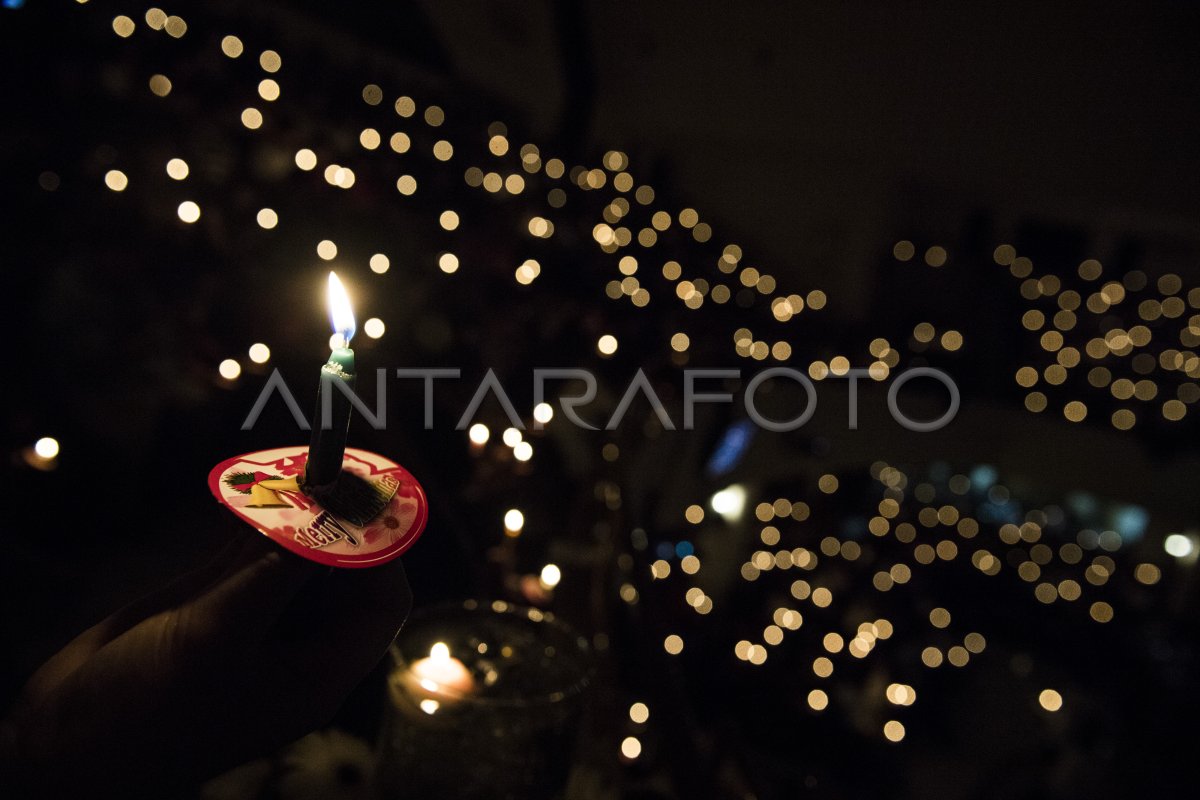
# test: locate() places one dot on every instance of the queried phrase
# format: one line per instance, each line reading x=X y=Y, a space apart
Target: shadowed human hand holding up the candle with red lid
x=227 y=664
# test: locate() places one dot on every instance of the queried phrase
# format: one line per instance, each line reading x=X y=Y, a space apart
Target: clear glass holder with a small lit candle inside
x=484 y=701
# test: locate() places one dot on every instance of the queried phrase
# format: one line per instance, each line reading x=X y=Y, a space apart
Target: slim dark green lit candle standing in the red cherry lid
x=328 y=446
